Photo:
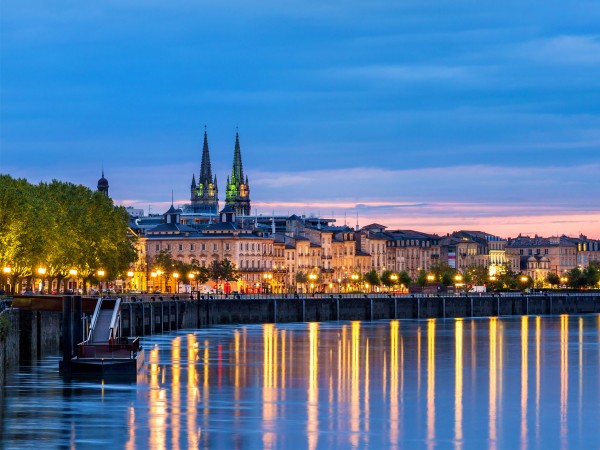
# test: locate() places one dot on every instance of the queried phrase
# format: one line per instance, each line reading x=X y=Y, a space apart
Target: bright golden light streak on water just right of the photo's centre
x=312 y=426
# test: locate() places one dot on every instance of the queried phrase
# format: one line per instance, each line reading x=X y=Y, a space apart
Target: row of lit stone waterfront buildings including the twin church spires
x=271 y=251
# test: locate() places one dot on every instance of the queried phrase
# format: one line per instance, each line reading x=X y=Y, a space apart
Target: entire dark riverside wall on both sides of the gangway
x=30 y=335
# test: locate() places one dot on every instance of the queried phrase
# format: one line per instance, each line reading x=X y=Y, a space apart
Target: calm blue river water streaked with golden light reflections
x=530 y=382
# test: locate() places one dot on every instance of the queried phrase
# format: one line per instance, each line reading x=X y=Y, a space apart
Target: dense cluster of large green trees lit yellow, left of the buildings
x=61 y=227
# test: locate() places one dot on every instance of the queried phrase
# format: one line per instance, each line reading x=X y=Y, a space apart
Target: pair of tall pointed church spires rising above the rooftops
x=204 y=195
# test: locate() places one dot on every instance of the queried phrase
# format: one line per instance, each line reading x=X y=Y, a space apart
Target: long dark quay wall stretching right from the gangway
x=145 y=318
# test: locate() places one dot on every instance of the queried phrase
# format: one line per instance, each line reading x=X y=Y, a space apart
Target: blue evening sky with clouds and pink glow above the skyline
x=426 y=115
